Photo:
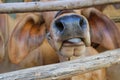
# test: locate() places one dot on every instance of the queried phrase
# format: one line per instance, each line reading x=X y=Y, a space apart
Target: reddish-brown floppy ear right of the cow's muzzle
x=103 y=30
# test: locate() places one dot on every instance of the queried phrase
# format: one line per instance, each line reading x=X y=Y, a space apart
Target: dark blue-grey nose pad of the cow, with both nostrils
x=70 y=26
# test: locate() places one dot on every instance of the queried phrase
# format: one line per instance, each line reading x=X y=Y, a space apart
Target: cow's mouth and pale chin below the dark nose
x=73 y=47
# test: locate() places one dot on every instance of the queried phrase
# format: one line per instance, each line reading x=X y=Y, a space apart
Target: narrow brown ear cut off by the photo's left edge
x=3 y=35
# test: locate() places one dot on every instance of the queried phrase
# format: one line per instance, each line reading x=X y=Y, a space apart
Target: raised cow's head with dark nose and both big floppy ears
x=67 y=31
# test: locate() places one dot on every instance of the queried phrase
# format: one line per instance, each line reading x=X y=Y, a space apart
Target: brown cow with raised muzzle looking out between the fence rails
x=69 y=34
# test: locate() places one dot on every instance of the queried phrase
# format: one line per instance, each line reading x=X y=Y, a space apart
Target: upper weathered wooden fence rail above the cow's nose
x=51 y=5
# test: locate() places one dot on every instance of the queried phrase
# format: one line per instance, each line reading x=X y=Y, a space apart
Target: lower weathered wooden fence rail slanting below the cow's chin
x=65 y=69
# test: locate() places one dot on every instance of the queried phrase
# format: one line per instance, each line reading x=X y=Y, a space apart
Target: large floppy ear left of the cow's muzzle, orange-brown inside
x=27 y=35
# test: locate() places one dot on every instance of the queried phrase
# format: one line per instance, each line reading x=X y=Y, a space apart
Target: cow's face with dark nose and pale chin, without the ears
x=68 y=33
